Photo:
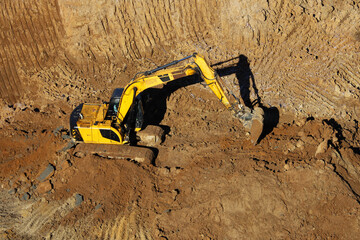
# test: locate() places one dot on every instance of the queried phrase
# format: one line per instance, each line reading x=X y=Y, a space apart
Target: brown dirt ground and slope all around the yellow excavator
x=299 y=60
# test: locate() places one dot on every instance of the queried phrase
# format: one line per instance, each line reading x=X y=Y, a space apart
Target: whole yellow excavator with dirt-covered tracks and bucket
x=107 y=129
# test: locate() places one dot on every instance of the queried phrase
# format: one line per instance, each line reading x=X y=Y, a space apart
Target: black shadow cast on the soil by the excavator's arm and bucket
x=155 y=100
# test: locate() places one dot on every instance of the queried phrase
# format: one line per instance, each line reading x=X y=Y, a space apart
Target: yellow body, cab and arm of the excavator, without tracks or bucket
x=110 y=123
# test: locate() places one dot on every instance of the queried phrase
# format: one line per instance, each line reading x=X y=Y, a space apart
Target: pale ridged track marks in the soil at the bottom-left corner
x=34 y=218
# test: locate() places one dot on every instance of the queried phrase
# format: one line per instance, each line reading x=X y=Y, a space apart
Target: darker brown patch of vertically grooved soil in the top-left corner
x=29 y=37
